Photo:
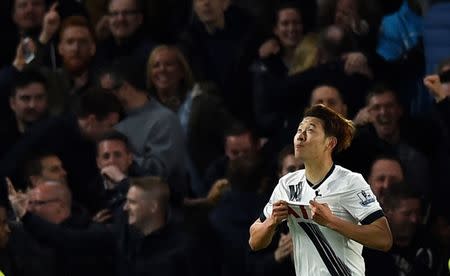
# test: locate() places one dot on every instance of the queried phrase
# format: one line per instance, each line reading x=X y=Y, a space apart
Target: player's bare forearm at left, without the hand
x=261 y=234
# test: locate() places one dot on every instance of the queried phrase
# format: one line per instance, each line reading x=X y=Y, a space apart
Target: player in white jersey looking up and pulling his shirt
x=345 y=212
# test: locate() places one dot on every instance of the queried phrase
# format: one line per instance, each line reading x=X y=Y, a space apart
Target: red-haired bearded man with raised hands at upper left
x=65 y=85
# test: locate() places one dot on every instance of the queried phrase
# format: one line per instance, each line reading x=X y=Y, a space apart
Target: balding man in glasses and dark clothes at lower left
x=51 y=201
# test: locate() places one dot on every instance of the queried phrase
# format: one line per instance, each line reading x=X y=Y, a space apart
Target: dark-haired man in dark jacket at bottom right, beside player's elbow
x=412 y=252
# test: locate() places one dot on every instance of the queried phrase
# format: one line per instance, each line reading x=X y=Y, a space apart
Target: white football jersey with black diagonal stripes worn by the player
x=319 y=250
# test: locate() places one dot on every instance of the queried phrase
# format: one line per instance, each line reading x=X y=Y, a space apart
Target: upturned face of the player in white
x=310 y=142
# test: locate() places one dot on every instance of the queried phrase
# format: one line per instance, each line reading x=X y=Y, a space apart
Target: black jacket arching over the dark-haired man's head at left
x=62 y=137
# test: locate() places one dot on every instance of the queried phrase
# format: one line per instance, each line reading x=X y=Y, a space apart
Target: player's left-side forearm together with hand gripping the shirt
x=261 y=232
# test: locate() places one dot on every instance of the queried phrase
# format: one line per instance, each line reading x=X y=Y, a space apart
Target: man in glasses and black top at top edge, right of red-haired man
x=123 y=21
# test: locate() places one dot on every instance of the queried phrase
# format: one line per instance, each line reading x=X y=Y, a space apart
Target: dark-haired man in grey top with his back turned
x=154 y=132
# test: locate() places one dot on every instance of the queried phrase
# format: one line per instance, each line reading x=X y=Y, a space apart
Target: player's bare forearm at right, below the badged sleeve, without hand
x=376 y=235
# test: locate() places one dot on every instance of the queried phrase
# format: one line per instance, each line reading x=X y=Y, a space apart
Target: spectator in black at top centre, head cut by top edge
x=221 y=45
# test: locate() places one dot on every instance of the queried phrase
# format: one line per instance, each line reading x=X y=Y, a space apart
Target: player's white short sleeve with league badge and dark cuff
x=360 y=201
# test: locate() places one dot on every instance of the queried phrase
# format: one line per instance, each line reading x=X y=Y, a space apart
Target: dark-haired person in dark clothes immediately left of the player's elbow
x=243 y=199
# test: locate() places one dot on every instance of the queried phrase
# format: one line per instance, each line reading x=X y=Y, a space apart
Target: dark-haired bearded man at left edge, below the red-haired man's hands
x=28 y=101
